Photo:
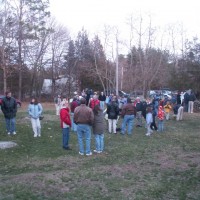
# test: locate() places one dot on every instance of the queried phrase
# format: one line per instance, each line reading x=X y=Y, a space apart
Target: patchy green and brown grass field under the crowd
x=165 y=166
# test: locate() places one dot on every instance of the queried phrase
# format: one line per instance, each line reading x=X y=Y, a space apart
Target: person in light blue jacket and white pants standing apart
x=35 y=110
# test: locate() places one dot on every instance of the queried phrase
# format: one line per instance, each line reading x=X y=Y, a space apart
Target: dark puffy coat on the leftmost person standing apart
x=9 y=107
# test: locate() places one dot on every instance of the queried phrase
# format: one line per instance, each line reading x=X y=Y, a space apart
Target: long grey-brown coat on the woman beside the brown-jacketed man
x=99 y=123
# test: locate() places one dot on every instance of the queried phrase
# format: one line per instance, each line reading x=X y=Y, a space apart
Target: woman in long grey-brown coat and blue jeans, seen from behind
x=98 y=129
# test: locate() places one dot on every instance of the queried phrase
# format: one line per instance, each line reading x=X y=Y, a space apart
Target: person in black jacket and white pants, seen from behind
x=113 y=112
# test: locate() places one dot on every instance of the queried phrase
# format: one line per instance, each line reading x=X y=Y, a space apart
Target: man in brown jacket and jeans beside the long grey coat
x=84 y=117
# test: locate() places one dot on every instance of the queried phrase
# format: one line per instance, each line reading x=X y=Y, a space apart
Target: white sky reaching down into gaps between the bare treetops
x=93 y=15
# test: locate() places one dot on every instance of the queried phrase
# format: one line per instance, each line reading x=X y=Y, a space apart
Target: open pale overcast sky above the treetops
x=93 y=14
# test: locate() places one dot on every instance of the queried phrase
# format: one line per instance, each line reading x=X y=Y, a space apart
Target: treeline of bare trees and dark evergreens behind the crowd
x=33 y=47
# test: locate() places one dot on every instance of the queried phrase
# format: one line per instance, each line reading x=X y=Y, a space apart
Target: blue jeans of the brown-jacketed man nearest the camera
x=84 y=132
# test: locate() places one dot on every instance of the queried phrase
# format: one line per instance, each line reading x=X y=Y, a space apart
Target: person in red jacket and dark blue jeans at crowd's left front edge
x=65 y=123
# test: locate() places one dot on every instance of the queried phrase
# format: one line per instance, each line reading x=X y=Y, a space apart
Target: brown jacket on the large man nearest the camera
x=83 y=115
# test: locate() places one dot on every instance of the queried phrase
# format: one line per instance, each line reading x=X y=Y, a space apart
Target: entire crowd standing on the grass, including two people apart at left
x=91 y=112
